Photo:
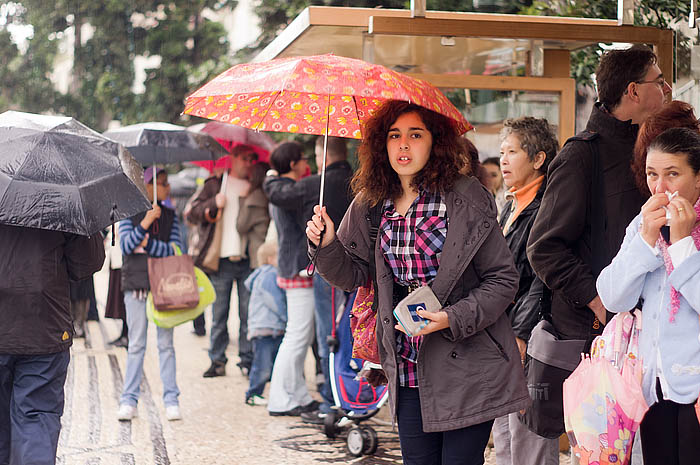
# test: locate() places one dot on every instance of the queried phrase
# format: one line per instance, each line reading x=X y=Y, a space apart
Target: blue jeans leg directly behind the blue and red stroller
x=324 y=325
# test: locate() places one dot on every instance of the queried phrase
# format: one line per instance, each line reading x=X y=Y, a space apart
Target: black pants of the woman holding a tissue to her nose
x=670 y=433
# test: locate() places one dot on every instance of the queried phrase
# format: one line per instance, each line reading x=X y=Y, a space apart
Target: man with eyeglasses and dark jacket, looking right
x=591 y=197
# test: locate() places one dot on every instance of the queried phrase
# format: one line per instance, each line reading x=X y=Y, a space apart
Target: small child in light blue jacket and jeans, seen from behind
x=267 y=319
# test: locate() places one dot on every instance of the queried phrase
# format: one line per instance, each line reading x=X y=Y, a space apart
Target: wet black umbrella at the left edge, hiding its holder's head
x=58 y=174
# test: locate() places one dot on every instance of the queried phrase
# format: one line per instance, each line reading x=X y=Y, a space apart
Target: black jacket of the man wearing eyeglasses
x=559 y=247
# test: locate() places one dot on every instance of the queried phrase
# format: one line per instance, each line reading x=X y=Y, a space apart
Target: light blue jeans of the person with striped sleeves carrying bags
x=138 y=326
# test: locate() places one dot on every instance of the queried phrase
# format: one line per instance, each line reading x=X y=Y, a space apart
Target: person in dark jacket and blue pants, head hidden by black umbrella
x=36 y=333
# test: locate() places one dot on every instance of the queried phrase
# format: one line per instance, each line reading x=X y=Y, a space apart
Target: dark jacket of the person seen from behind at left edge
x=36 y=267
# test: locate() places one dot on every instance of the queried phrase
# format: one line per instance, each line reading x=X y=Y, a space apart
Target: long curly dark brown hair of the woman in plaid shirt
x=375 y=180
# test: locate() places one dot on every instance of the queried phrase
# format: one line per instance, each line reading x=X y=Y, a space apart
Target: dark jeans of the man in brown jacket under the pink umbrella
x=230 y=272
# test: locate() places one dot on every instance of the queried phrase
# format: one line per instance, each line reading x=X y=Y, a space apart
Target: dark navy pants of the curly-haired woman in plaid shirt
x=464 y=446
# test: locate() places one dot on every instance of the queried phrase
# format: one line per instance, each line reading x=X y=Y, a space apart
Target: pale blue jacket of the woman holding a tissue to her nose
x=637 y=272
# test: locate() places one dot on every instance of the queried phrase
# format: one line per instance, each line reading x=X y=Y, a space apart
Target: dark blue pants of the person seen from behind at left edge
x=31 y=405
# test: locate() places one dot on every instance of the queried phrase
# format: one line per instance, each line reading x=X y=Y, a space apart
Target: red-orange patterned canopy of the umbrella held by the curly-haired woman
x=323 y=94
